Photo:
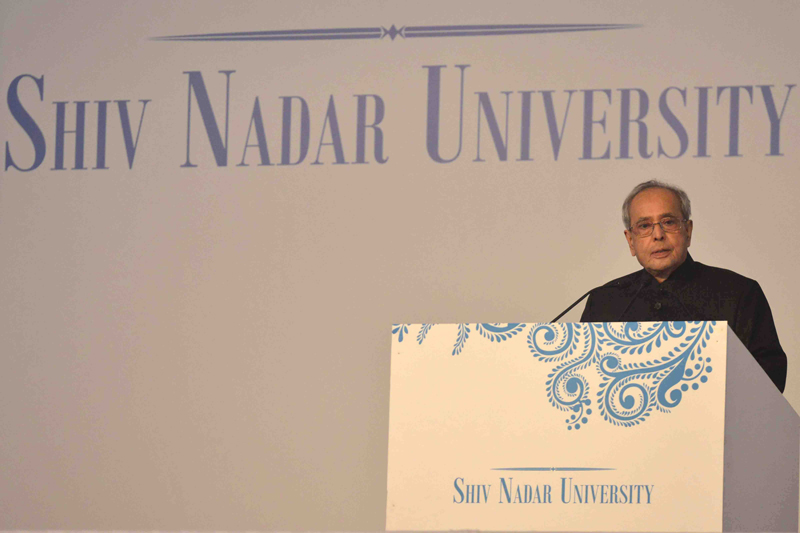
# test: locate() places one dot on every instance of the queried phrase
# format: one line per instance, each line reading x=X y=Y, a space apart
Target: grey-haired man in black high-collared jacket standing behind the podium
x=672 y=286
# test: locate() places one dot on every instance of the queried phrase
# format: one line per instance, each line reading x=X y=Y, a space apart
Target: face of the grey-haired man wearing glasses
x=659 y=253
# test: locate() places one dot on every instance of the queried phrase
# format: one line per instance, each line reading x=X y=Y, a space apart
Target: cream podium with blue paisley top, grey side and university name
x=651 y=426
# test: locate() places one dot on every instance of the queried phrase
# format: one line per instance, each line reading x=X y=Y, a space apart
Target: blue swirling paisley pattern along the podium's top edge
x=632 y=385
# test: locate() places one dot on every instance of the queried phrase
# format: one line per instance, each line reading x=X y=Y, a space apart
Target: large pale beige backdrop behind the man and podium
x=207 y=347
